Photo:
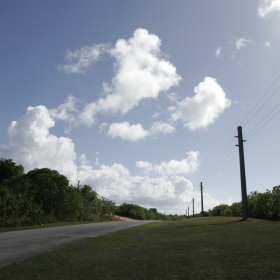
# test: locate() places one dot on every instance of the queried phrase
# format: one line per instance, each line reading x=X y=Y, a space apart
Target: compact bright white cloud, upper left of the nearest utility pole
x=204 y=108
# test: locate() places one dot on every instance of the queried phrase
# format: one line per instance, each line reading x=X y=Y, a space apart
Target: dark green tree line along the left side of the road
x=45 y=196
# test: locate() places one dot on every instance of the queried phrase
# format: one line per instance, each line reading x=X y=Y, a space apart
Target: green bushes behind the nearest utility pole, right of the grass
x=260 y=205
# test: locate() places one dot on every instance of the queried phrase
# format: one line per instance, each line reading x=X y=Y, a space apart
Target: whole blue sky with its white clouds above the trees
x=142 y=99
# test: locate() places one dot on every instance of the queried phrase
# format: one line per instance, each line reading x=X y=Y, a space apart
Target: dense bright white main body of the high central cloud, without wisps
x=141 y=72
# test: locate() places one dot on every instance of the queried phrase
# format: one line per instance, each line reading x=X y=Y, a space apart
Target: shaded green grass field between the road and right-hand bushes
x=199 y=248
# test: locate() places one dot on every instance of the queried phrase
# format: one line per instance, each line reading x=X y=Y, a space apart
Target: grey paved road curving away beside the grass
x=19 y=245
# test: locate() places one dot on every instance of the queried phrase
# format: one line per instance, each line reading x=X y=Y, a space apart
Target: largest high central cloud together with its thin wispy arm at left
x=140 y=73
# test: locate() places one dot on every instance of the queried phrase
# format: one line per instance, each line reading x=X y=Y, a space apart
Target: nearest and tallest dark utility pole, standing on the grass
x=242 y=173
